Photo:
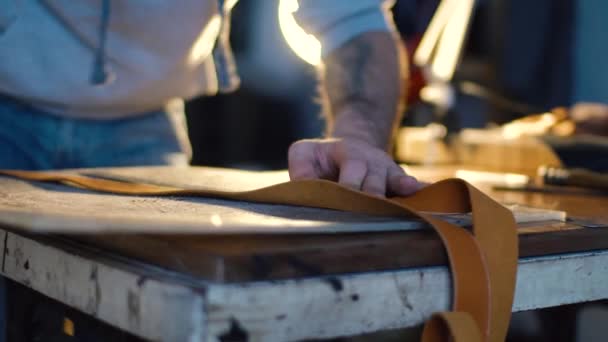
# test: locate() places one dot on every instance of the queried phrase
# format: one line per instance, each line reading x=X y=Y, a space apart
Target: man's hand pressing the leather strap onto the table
x=353 y=163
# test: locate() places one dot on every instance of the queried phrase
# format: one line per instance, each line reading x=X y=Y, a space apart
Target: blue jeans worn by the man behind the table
x=36 y=140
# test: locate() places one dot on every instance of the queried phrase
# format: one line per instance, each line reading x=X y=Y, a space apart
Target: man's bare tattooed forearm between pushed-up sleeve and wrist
x=361 y=88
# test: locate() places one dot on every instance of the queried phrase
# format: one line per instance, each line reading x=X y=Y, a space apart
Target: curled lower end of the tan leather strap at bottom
x=457 y=326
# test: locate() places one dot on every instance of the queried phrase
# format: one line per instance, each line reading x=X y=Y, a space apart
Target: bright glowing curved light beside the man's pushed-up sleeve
x=305 y=45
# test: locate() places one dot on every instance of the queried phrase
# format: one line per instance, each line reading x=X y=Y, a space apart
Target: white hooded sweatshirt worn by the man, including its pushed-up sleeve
x=105 y=59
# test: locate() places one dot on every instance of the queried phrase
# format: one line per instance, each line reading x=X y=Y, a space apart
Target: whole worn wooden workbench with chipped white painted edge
x=185 y=269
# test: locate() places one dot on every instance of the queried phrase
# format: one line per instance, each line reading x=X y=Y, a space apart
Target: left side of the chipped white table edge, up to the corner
x=132 y=301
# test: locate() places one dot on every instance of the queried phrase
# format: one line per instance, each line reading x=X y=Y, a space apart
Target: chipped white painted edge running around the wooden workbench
x=164 y=309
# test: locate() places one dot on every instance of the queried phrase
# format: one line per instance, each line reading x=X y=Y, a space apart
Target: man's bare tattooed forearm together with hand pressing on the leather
x=362 y=86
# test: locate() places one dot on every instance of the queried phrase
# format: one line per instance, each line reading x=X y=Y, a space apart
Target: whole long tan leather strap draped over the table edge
x=483 y=262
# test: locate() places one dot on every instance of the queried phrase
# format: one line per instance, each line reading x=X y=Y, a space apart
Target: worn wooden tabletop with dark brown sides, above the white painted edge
x=251 y=257
